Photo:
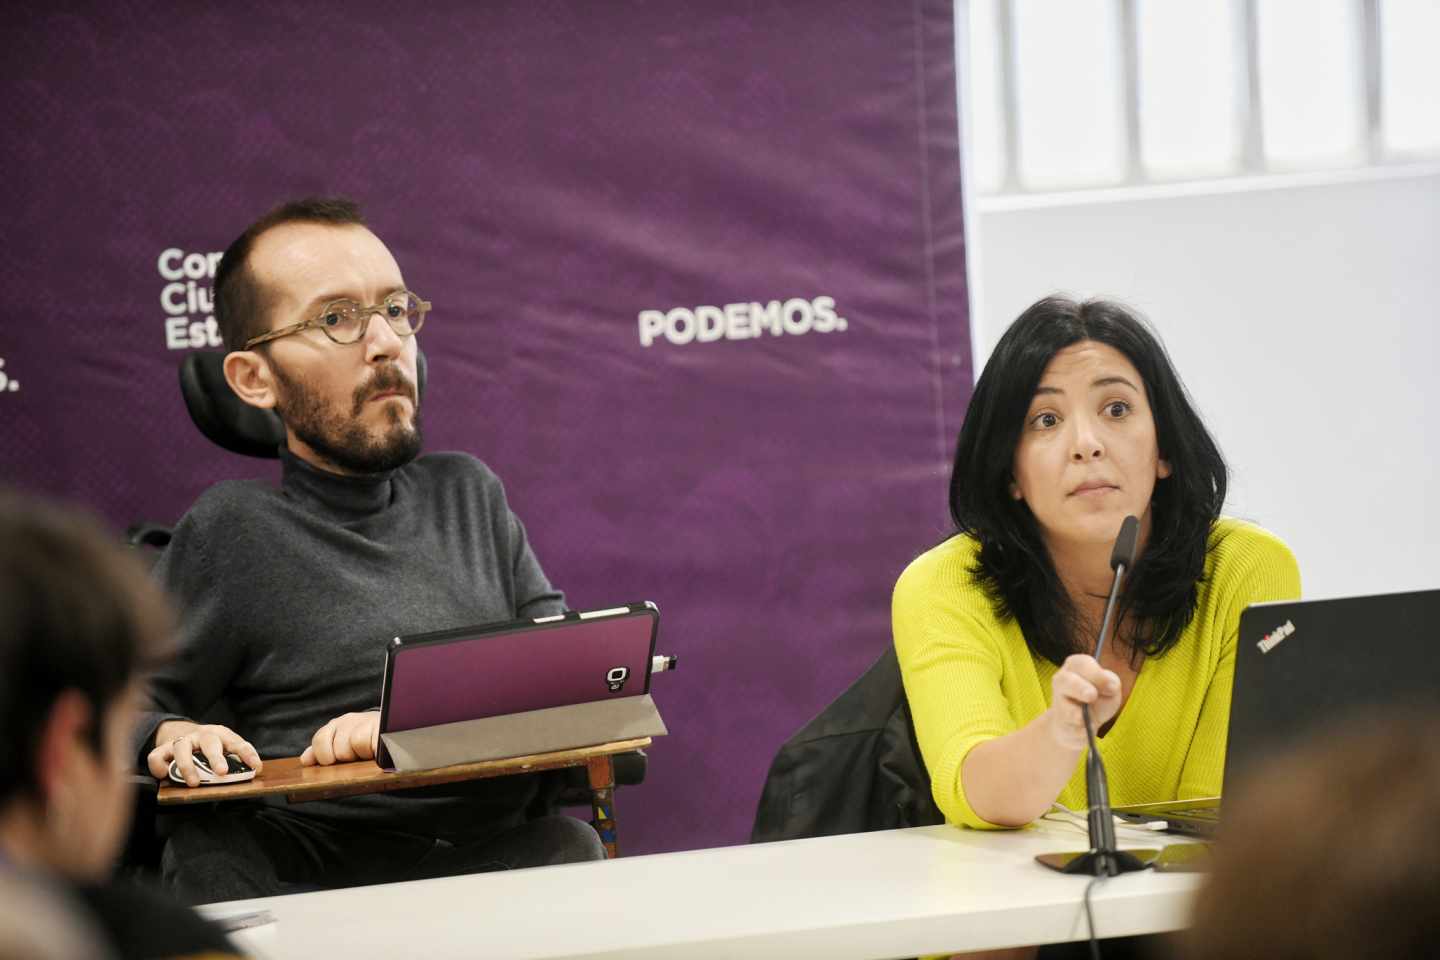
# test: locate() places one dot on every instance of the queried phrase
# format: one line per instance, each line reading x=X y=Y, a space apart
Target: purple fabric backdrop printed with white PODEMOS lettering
x=699 y=286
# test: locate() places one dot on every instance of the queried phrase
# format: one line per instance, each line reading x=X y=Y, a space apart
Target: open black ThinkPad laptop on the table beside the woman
x=1304 y=664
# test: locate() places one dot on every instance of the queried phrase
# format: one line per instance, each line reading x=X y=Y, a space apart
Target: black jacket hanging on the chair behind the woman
x=856 y=768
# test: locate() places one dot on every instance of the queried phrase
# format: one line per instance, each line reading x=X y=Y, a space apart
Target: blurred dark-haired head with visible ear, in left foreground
x=80 y=622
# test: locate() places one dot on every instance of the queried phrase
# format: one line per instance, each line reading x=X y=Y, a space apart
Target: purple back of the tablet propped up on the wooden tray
x=516 y=667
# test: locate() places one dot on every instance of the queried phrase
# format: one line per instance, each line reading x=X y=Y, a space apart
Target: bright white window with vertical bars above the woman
x=1074 y=94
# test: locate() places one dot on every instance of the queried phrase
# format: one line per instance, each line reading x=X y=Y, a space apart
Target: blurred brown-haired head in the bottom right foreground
x=1331 y=851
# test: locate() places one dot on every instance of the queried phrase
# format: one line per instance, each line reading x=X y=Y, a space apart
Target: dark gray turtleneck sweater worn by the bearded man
x=290 y=595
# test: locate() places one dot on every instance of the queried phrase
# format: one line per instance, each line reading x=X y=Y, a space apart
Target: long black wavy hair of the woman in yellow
x=1014 y=566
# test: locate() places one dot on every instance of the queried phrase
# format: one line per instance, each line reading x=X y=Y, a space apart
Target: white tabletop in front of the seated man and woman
x=888 y=895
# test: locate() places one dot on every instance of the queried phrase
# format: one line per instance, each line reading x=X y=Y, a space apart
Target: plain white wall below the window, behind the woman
x=1302 y=316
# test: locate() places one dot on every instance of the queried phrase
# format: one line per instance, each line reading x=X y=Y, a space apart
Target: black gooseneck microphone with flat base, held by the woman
x=1104 y=860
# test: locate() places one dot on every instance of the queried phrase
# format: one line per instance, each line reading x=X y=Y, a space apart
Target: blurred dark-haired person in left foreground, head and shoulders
x=80 y=627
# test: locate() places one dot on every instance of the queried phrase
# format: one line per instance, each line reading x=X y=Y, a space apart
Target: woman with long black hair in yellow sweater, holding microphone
x=1079 y=421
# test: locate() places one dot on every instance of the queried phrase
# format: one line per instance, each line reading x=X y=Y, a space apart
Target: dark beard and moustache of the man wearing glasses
x=345 y=441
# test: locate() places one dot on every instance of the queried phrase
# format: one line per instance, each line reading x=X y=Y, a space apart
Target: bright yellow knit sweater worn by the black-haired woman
x=970 y=676
